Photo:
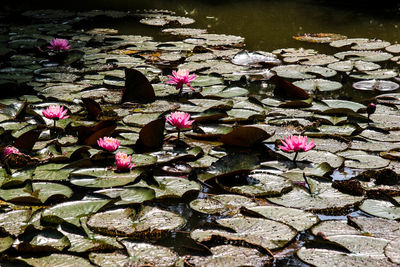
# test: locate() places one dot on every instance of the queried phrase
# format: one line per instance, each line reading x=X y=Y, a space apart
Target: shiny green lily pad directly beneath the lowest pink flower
x=103 y=177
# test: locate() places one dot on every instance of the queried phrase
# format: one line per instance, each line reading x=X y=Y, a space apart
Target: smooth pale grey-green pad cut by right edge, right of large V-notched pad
x=381 y=208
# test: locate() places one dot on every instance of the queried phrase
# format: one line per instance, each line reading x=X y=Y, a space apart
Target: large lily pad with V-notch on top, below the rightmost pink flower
x=323 y=198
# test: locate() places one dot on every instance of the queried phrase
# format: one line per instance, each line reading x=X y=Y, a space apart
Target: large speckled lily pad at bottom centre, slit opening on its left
x=263 y=233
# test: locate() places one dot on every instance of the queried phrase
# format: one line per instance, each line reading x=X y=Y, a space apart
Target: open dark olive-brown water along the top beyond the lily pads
x=266 y=25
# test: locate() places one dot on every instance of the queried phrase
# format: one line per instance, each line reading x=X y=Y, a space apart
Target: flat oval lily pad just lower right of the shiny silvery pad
x=302 y=72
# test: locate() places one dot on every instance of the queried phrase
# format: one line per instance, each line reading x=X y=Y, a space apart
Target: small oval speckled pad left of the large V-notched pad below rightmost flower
x=222 y=204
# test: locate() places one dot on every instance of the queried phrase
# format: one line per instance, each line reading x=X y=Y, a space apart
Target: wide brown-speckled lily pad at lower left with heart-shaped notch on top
x=148 y=222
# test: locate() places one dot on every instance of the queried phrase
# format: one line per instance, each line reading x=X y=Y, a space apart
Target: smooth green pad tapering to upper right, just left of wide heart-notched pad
x=72 y=211
